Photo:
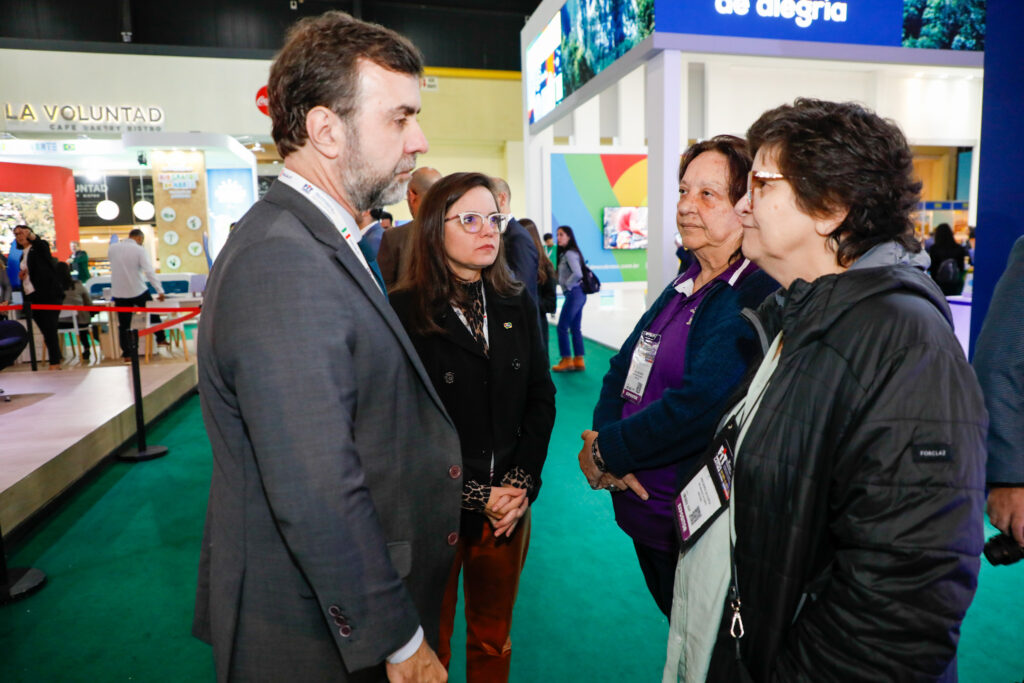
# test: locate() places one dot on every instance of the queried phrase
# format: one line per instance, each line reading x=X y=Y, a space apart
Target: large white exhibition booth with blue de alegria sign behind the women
x=610 y=104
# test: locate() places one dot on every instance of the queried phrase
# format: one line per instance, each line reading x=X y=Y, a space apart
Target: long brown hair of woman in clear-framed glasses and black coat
x=430 y=279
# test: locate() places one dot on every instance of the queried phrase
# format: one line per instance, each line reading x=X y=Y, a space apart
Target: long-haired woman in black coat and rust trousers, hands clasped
x=477 y=332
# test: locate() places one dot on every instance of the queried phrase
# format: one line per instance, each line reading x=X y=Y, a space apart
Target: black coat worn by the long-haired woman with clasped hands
x=502 y=404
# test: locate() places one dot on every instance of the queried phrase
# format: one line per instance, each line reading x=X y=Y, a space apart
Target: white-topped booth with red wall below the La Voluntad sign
x=183 y=190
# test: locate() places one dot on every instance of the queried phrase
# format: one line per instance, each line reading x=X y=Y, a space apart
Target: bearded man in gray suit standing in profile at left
x=334 y=506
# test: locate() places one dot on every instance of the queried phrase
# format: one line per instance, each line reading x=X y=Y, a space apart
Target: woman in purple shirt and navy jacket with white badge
x=668 y=386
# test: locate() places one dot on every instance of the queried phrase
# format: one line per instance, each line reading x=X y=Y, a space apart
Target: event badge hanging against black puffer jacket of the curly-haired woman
x=706 y=494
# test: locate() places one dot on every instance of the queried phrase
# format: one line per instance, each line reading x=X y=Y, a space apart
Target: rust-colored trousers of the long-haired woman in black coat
x=491 y=583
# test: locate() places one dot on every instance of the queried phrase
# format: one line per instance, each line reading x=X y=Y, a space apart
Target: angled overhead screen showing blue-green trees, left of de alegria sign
x=581 y=41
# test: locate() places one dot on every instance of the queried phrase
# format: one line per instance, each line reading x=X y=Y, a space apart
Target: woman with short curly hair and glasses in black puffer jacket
x=846 y=545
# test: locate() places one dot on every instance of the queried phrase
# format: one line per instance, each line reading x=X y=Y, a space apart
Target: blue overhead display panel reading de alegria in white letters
x=943 y=25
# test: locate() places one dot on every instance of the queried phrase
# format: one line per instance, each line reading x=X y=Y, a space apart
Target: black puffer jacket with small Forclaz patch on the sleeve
x=862 y=484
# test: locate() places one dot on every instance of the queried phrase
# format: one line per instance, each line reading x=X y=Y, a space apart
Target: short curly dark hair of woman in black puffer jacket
x=842 y=156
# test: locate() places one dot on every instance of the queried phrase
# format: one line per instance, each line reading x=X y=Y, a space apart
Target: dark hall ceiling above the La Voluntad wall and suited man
x=467 y=34
